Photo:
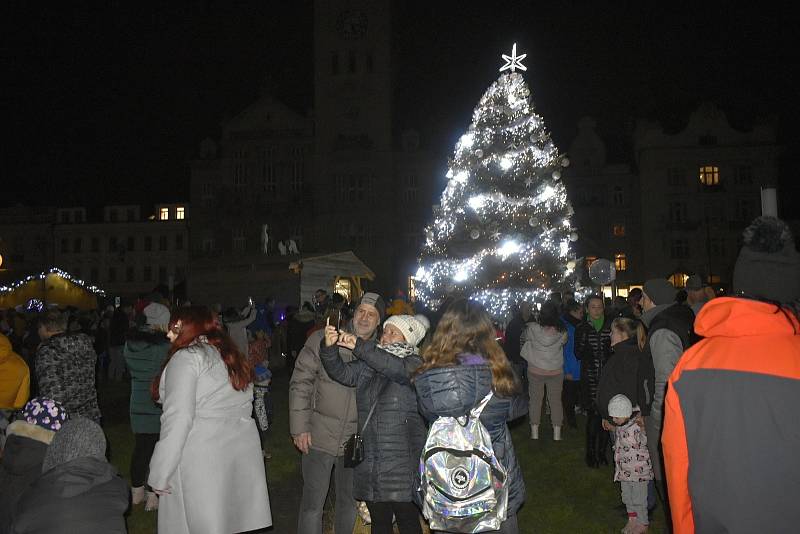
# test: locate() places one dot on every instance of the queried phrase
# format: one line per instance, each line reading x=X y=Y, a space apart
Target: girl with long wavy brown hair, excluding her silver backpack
x=460 y=366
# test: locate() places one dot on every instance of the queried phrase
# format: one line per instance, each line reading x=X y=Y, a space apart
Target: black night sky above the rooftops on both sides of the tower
x=106 y=104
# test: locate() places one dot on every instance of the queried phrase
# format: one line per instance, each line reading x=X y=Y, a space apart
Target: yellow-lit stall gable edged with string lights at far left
x=53 y=287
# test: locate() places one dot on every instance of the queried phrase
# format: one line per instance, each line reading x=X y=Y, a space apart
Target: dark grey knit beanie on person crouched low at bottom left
x=79 y=437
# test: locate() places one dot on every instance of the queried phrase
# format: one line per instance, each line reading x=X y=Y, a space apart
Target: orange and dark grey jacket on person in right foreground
x=730 y=437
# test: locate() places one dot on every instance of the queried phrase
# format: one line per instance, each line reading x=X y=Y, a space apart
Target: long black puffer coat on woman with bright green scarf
x=593 y=349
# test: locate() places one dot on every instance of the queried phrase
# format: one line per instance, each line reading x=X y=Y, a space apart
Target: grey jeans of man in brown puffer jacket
x=316 y=466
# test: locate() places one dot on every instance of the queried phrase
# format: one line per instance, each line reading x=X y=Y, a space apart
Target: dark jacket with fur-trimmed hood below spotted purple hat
x=23 y=455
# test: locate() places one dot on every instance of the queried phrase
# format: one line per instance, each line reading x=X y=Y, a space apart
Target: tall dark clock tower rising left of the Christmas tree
x=353 y=125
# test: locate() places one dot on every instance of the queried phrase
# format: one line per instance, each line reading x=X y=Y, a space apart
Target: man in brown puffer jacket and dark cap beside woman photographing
x=322 y=416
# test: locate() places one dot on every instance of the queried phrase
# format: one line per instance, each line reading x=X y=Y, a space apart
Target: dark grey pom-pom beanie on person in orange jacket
x=768 y=266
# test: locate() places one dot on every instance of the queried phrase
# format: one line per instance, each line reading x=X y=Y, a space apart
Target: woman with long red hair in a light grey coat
x=202 y=466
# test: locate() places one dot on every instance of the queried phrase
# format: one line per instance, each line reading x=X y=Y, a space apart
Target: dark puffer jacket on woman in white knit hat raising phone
x=395 y=434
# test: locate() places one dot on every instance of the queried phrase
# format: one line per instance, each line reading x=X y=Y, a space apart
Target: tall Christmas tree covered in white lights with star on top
x=502 y=231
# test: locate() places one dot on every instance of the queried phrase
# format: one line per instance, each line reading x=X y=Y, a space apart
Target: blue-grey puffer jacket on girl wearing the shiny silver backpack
x=454 y=391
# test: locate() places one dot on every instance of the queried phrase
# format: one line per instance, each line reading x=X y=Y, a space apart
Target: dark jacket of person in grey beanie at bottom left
x=84 y=495
